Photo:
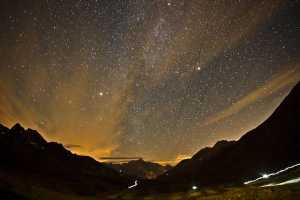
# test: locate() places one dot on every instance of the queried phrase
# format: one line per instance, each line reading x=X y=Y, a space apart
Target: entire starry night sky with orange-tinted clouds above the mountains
x=157 y=79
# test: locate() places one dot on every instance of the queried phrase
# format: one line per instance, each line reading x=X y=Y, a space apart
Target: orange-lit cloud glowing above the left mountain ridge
x=67 y=112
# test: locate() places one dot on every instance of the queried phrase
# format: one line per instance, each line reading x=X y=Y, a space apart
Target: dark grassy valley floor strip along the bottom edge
x=291 y=192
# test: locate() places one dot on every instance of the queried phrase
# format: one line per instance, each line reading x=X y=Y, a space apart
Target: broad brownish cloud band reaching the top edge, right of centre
x=198 y=35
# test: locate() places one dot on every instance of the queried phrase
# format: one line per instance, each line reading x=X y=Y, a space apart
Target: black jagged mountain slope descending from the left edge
x=26 y=156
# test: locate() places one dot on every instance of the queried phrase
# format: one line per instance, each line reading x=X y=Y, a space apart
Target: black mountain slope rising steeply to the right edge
x=273 y=145
